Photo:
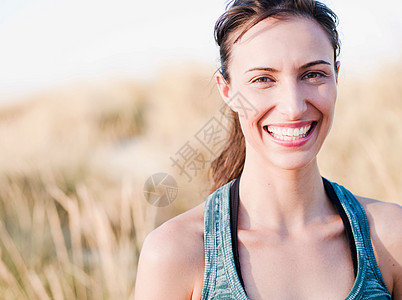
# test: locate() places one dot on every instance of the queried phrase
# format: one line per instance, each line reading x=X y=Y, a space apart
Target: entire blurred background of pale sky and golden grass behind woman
x=97 y=96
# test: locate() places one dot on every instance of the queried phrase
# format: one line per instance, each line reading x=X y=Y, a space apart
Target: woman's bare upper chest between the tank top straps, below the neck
x=300 y=268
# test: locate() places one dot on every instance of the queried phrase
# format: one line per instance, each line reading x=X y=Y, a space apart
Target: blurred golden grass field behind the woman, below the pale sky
x=74 y=161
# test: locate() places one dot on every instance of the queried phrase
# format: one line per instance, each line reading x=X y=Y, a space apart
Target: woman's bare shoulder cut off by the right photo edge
x=385 y=222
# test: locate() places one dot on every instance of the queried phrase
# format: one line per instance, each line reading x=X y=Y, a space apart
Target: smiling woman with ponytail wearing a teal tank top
x=299 y=236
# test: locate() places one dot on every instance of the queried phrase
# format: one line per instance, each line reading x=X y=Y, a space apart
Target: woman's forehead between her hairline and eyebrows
x=295 y=40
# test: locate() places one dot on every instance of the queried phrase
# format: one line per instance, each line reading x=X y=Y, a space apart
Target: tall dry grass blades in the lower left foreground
x=77 y=246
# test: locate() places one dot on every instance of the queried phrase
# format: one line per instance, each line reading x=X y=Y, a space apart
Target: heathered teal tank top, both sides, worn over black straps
x=221 y=280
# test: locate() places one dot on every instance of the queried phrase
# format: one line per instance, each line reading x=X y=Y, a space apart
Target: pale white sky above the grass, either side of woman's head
x=50 y=42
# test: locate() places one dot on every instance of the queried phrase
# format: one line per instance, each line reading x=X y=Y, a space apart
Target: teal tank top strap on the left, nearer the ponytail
x=220 y=276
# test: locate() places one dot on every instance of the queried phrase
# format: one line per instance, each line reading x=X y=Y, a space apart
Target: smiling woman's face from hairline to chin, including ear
x=284 y=73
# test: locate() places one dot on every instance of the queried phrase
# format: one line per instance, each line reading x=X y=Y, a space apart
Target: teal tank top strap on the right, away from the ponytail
x=369 y=283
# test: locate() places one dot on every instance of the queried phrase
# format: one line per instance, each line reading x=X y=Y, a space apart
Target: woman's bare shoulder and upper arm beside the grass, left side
x=171 y=263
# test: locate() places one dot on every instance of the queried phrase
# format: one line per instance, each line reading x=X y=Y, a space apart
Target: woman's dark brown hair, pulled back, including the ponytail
x=244 y=14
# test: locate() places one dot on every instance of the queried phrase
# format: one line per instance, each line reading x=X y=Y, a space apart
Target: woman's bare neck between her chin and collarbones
x=281 y=199
